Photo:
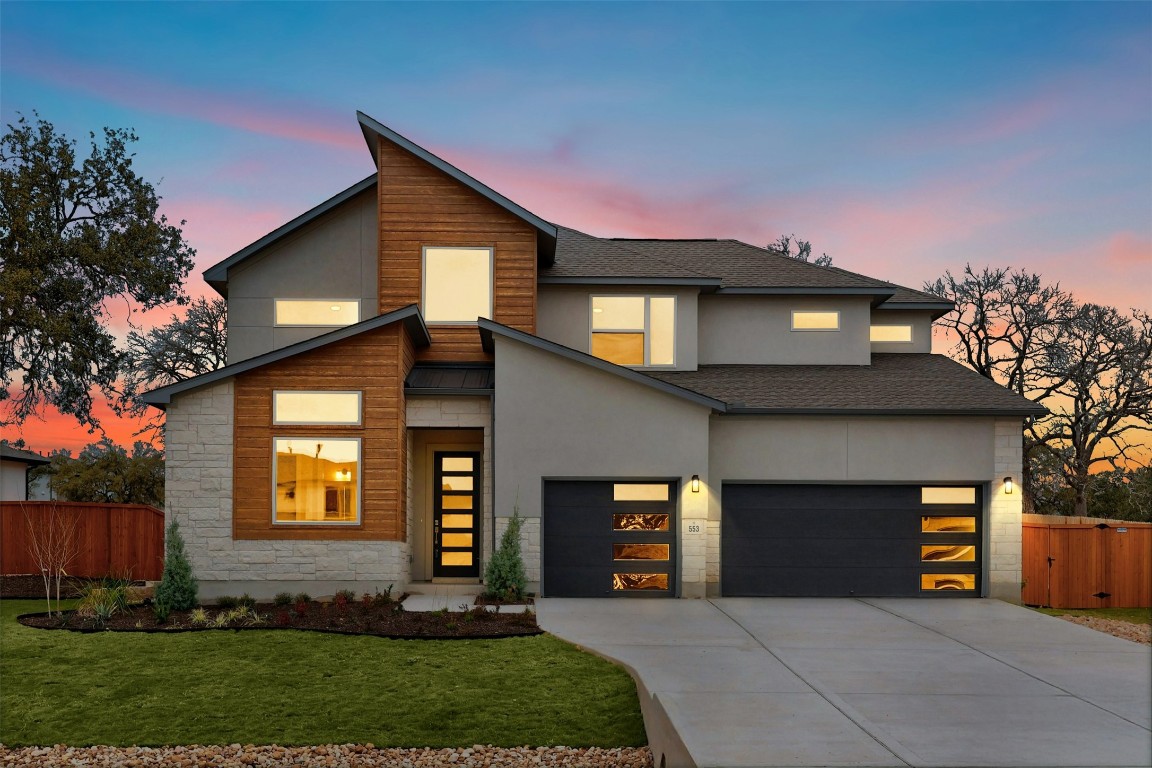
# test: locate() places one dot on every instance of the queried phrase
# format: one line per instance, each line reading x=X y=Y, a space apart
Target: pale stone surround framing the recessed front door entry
x=458 y=413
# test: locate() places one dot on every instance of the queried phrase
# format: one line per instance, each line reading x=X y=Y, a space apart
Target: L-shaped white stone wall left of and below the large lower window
x=199 y=483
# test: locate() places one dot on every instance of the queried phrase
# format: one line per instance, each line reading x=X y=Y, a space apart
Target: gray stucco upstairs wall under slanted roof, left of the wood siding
x=334 y=257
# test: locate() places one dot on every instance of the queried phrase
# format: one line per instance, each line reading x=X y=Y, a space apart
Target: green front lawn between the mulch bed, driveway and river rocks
x=305 y=688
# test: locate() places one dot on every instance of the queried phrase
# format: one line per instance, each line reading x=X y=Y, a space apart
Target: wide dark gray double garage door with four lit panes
x=804 y=541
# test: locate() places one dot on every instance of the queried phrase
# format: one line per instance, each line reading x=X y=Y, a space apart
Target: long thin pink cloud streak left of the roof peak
x=244 y=111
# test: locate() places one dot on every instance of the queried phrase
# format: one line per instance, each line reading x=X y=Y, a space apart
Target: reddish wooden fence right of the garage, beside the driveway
x=1083 y=562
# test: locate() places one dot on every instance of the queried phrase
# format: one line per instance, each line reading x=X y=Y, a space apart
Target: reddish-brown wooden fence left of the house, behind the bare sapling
x=111 y=539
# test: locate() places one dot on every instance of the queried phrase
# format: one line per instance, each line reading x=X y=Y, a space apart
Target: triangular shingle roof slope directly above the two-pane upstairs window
x=583 y=258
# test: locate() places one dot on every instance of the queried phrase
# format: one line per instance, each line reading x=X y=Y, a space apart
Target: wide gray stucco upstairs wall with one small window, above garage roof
x=757 y=331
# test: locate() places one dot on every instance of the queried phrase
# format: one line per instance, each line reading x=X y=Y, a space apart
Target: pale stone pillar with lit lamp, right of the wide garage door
x=1005 y=511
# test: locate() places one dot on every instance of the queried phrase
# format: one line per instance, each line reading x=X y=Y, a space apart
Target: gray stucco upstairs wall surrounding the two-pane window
x=564 y=316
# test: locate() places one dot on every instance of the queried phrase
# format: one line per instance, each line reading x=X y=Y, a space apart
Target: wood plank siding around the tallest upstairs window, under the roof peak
x=421 y=206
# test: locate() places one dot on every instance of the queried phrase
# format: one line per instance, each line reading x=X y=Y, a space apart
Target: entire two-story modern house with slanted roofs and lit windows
x=419 y=356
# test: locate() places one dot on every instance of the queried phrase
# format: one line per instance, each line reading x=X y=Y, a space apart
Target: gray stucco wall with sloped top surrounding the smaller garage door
x=557 y=419
